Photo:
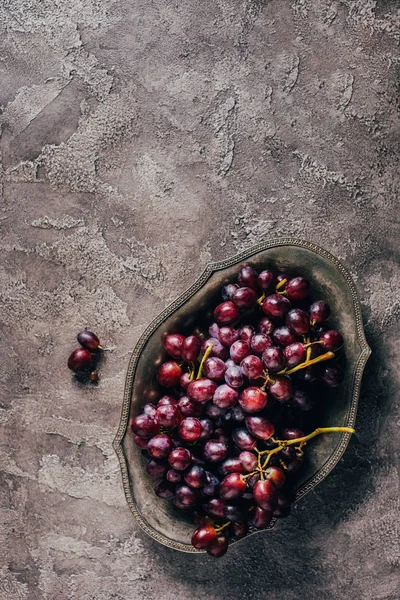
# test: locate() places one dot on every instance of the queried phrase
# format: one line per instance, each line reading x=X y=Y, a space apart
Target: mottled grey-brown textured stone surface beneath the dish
x=140 y=140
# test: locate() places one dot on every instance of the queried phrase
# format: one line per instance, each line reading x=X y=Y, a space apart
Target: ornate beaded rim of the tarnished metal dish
x=177 y=303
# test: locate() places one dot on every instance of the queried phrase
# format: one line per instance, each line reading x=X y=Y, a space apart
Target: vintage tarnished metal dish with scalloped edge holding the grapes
x=190 y=312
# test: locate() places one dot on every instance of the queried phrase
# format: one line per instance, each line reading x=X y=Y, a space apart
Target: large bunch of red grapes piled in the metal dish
x=228 y=434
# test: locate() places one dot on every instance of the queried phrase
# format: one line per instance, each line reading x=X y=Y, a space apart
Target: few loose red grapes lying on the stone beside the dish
x=83 y=361
